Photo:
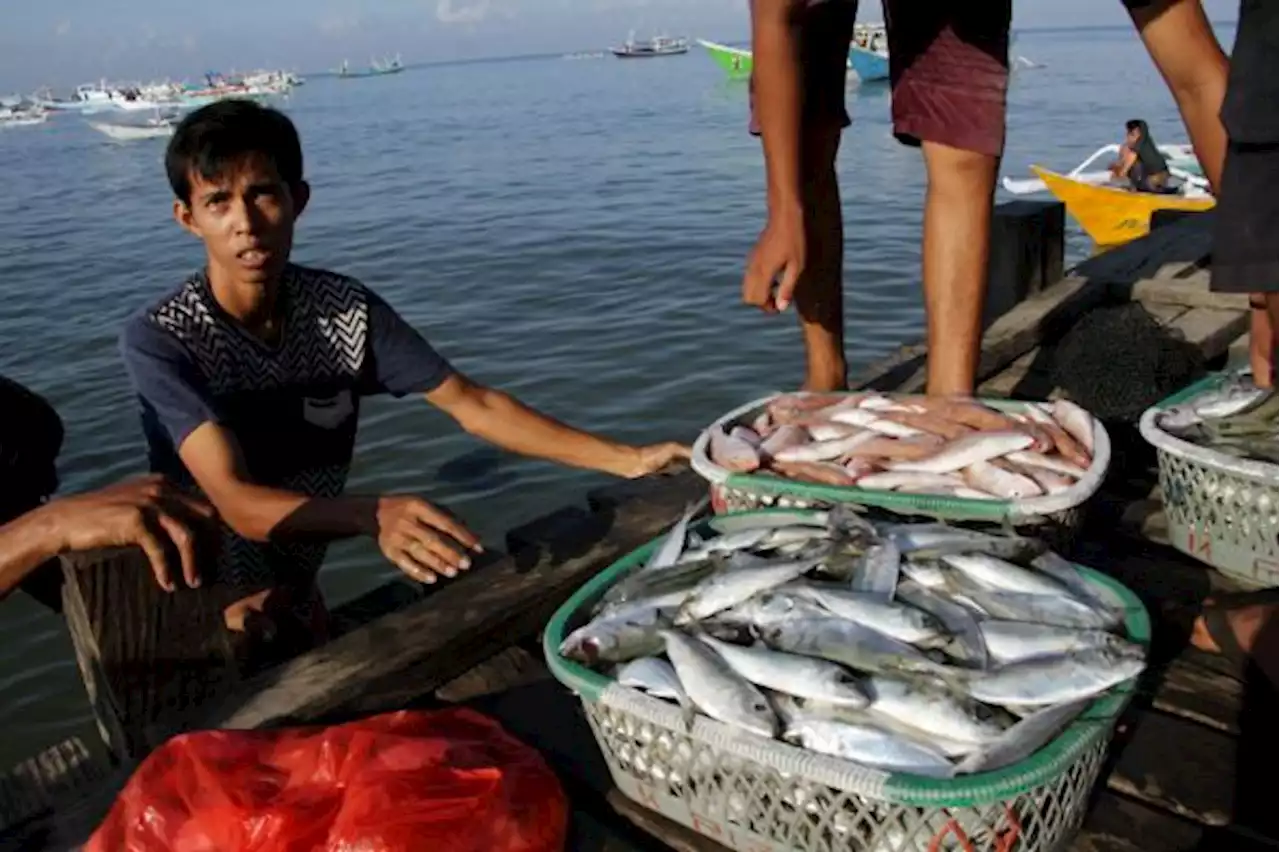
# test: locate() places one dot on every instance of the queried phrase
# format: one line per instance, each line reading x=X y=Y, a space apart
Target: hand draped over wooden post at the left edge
x=147 y=512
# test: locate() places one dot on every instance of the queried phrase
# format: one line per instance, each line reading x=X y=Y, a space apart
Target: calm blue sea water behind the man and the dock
x=570 y=231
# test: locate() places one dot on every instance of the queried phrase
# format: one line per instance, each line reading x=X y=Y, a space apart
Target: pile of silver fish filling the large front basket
x=915 y=648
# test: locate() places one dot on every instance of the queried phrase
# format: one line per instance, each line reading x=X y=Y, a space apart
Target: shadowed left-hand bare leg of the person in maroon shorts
x=820 y=294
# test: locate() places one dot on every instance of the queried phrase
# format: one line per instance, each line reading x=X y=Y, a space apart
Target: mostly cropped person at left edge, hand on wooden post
x=35 y=528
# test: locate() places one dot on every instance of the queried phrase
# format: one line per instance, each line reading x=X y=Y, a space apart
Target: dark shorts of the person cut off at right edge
x=1247 y=222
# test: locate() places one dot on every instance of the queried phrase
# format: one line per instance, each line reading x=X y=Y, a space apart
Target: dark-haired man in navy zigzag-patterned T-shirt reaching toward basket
x=250 y=378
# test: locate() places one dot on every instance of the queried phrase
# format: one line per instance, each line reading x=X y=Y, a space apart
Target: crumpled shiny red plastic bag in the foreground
x=441 y=781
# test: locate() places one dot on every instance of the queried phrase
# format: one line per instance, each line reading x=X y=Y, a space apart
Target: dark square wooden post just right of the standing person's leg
x=1027 y=249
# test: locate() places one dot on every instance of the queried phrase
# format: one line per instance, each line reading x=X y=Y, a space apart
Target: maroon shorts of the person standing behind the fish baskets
x=949 y=70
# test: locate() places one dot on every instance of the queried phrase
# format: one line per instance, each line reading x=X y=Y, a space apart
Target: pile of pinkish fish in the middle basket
x=913 y=445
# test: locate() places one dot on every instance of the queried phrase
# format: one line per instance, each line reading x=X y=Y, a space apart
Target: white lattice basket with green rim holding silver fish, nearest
x=753 y=794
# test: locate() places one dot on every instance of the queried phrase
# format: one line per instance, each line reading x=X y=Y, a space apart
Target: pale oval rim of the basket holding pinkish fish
x=938 y=506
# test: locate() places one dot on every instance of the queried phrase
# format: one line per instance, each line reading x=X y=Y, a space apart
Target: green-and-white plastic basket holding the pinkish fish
x=747 y=492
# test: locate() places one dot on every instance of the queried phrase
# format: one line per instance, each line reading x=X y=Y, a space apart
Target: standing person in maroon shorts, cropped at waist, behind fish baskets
x=949 y=67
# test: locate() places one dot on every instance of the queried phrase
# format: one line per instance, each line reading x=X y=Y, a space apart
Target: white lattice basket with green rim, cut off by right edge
x=1220 y=510
